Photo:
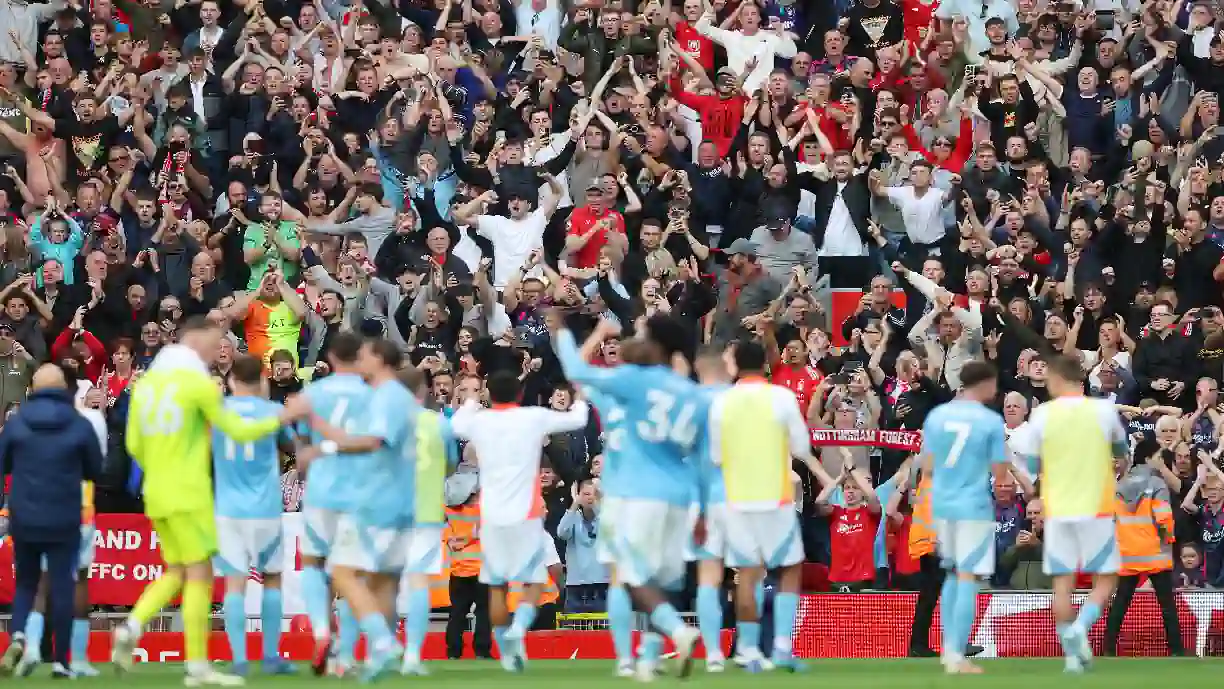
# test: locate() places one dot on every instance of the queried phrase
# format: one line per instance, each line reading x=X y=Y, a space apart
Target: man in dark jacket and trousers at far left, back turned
x=50 y=450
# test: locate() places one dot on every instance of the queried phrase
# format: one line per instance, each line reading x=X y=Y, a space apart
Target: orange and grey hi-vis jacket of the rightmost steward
x=1145 y=523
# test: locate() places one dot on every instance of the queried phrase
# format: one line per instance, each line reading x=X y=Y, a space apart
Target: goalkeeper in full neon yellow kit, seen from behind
x=173 y=408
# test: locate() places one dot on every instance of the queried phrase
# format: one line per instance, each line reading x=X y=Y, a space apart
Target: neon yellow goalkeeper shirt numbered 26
x=173 y=408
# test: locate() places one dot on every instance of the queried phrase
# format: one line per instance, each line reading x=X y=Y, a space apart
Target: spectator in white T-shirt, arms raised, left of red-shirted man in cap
x=516 y=237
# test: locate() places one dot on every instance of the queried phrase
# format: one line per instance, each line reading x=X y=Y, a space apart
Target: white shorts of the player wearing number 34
x=647 y=540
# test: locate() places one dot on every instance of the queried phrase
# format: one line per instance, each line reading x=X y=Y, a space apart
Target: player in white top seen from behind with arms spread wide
x=509 y=440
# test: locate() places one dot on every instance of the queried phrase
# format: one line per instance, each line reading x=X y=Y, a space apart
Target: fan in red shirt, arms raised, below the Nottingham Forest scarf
x=853 y=527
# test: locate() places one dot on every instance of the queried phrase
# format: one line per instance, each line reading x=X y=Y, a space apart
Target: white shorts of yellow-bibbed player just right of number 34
x=768 y=539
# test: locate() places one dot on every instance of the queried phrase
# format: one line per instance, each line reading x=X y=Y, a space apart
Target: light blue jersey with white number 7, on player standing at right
x=965 y=440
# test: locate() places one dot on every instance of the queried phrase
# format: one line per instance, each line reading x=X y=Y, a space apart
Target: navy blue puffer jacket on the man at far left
x=50 y=450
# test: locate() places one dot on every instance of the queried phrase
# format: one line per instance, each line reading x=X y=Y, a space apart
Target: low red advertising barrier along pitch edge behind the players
x=829 y=626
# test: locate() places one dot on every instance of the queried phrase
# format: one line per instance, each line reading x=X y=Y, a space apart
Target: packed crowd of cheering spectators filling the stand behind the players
x=1034 y=178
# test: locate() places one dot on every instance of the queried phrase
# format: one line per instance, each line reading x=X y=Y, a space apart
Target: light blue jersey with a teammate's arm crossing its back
x=335 y=482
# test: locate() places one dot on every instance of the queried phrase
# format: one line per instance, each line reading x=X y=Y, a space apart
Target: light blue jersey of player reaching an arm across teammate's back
x=389 y=488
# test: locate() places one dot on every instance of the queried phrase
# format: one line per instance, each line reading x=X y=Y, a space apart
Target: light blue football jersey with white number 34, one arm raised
x=662 y=418
